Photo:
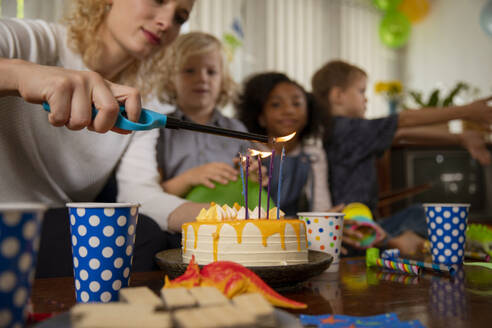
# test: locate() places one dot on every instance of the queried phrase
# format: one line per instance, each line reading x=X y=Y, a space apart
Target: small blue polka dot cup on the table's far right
x=446 y=226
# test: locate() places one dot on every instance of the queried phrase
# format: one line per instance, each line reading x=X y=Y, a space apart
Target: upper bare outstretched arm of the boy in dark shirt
x=477 y=111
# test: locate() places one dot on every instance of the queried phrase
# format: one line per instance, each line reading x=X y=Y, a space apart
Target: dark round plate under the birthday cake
x=279 y=276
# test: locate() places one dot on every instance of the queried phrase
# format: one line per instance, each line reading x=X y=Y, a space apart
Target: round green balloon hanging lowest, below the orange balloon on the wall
x=394 y=29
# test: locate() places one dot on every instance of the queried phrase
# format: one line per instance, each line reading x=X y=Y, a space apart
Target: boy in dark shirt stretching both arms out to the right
x=353 y=144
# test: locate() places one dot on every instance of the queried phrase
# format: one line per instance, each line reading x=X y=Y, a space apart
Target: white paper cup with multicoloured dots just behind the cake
x=324 y=233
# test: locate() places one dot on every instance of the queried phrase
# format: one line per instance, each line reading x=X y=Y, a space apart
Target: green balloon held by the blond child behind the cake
x=229 y=194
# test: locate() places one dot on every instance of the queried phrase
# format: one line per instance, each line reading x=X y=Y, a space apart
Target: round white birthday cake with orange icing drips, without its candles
x=223 y=233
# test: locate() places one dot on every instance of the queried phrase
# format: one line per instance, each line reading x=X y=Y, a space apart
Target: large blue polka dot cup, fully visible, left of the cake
x=103 y=237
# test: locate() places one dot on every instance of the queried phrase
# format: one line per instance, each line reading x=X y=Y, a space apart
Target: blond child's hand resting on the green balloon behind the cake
x=205 y=174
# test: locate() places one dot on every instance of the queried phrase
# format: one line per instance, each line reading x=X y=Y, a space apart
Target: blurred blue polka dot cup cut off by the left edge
x=20 y=225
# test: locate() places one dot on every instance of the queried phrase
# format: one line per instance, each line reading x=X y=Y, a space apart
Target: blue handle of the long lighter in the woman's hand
x=148 y=119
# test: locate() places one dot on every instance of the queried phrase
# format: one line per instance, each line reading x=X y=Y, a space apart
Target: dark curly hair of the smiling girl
x=254 y=96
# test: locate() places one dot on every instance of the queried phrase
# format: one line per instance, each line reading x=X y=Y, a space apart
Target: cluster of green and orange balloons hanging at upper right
x=395 y=27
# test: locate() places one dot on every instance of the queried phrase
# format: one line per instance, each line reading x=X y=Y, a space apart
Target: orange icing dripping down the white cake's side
x=266 y=227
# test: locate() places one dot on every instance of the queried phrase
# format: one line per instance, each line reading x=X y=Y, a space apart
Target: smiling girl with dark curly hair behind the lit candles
x=273 y=104
